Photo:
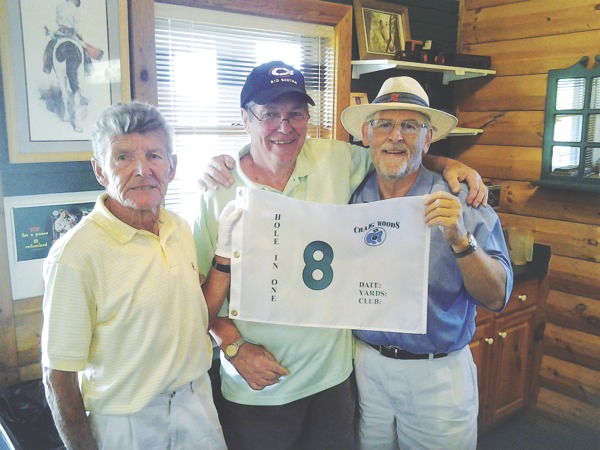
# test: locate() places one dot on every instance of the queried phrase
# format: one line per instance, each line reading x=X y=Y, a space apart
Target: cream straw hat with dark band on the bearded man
x=403 y=93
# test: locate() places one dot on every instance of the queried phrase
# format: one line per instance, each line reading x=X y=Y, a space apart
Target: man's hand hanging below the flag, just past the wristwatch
x=257 y=366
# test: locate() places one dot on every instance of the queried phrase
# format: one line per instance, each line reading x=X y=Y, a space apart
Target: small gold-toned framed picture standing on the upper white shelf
x=381 y=28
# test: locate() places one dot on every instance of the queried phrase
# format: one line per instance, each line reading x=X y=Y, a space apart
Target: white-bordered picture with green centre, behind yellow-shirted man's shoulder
x=33 y=224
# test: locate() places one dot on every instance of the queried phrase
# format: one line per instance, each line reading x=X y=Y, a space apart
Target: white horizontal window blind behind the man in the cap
x=203 y=58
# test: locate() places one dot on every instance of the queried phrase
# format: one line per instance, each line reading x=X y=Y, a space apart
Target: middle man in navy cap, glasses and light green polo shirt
x=284 y=386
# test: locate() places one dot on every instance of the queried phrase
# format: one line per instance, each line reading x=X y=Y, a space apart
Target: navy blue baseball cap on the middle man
x=270 y=81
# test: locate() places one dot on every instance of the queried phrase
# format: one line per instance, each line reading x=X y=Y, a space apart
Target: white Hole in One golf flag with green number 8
x=361 y=266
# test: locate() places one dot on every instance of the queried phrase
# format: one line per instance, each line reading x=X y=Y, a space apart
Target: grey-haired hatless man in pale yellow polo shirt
x=123 y=307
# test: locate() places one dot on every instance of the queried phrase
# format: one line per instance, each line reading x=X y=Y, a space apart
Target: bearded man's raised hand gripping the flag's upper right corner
x=444 y=210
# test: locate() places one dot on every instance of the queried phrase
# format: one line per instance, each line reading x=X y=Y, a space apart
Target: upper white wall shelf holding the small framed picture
x=450 y=73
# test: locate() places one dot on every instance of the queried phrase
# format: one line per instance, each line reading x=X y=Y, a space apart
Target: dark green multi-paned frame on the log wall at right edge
x=571 y=154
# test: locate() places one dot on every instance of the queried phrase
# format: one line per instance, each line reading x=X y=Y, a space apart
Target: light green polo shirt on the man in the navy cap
x=326 y=171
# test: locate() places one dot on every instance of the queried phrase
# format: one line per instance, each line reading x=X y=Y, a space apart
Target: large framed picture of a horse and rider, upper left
x=63 y=62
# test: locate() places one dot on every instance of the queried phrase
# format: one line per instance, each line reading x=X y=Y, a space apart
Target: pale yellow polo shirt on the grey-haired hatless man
x=124 y=308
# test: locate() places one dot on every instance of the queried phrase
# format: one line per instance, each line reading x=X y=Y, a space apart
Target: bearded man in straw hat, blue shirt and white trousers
x=420 y=391
